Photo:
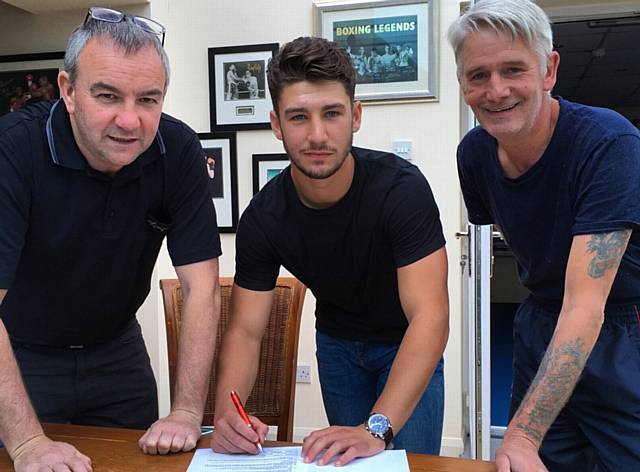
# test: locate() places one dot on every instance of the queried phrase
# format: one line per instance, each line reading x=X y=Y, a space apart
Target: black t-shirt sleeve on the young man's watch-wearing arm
x=413 y=222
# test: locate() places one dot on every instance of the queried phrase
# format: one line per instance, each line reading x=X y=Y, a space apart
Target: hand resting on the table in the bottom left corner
x=42 y=454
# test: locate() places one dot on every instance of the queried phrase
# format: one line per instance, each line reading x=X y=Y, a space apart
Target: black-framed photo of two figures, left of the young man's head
x=239 y=97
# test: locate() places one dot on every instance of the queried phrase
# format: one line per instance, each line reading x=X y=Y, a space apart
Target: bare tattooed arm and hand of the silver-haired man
x=591 y=269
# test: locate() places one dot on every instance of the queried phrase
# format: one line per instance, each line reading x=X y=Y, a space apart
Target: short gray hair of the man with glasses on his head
x=125 y=34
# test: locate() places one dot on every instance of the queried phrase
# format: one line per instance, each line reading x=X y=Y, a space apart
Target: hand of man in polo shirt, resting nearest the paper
x=177 y=432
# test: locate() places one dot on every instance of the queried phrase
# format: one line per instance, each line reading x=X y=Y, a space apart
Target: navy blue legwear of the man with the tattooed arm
x=599 y=427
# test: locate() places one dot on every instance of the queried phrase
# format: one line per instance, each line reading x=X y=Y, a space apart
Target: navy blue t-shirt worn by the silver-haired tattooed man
x=586 y=182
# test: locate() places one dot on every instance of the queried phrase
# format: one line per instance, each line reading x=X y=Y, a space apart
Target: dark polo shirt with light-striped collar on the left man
x=77 y=247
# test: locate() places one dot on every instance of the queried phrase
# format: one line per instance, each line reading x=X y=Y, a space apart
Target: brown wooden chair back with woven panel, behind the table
x=273 y=394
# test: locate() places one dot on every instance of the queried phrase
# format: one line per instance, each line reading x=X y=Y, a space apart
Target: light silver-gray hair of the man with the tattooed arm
x=520 y=18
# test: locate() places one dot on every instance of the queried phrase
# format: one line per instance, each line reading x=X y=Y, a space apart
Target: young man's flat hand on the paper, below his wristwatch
x=342 y=442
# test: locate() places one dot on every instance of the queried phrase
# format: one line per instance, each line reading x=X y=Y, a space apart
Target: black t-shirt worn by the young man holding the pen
x=347 y=254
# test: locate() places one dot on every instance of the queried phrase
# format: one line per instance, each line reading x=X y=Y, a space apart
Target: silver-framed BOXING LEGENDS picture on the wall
x=392 y=45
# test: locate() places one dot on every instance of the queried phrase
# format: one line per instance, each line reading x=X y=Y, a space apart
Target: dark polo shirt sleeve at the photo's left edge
x=15 y=202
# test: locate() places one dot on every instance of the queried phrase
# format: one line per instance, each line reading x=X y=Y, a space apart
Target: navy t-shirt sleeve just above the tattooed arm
x=606 y=192
